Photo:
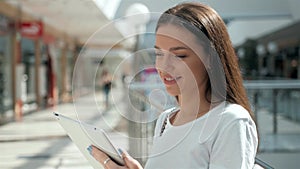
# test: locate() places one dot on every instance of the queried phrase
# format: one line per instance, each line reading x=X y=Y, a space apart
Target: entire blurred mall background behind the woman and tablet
x=53 y=54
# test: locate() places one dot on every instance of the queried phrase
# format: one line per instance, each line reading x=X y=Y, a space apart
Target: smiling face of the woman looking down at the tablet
x=178 y=61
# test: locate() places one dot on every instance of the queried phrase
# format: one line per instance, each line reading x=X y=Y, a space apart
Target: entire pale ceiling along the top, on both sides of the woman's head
x=81 y=19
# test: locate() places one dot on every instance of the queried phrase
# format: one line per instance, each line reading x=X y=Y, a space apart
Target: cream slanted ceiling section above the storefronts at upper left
x=79 y=19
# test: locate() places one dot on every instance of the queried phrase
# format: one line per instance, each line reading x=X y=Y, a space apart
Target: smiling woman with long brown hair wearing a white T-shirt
x=213 y=126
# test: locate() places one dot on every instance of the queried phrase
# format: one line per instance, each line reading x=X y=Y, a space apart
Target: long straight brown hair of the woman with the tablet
x=207 y=21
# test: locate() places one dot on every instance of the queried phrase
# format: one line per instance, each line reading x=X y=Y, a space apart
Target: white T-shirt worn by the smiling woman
x=224 y=138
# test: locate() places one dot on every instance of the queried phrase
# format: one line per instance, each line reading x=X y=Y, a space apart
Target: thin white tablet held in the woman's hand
x=84 y=135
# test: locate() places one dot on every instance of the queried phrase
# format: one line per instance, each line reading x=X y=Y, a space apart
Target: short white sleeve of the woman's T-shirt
x=235 y=146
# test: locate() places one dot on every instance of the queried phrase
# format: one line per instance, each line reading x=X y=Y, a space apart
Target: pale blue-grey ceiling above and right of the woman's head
x=247 y=19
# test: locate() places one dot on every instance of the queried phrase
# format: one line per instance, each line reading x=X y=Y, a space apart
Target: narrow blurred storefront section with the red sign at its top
x=28 y=68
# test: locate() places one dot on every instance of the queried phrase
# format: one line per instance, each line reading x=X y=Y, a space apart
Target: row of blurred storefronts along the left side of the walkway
x=35 y=70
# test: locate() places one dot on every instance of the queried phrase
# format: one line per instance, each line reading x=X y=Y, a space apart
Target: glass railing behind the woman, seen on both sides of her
x=271 y=100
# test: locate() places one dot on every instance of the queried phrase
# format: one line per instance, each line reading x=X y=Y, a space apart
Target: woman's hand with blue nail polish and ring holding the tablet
x=100 y=156
